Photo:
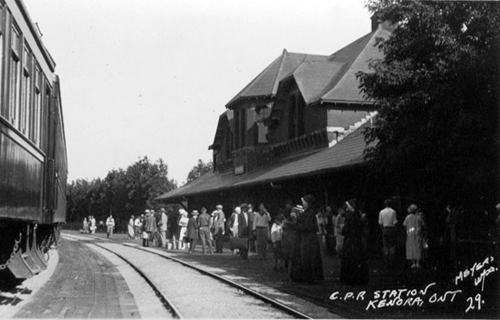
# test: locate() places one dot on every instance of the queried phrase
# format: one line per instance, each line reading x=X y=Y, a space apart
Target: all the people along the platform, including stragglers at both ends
x=299 y=235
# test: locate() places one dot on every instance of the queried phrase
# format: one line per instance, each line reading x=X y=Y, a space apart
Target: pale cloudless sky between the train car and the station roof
x=151 y=77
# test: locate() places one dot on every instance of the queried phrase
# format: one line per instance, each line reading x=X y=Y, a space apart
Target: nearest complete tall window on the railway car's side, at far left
x=15 y=70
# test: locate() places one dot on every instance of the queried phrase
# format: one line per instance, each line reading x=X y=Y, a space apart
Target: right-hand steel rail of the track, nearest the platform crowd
x=278 y=305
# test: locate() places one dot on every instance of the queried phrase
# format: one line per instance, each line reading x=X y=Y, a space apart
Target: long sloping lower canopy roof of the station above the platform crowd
x=346 y=153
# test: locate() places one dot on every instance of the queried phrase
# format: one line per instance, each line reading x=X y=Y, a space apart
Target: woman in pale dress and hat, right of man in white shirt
x=413 y=224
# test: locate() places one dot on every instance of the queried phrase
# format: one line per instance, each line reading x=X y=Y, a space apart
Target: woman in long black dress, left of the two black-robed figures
x=307 y=265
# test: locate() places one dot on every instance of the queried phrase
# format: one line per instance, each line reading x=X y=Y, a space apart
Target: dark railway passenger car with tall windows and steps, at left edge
x=33 y=161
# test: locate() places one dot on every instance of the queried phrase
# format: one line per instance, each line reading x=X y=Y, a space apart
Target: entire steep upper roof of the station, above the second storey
x=321 y=79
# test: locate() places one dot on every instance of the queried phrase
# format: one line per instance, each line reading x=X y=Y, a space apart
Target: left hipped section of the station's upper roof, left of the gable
x=266 y=83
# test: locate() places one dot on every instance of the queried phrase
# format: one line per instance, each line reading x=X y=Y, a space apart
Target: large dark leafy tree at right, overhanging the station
x=436 y=91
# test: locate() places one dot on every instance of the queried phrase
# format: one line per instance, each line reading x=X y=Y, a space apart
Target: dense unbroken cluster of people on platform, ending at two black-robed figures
x=296 y=235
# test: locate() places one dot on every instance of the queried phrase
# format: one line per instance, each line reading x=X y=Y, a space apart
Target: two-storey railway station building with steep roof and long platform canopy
x=296 y=128
